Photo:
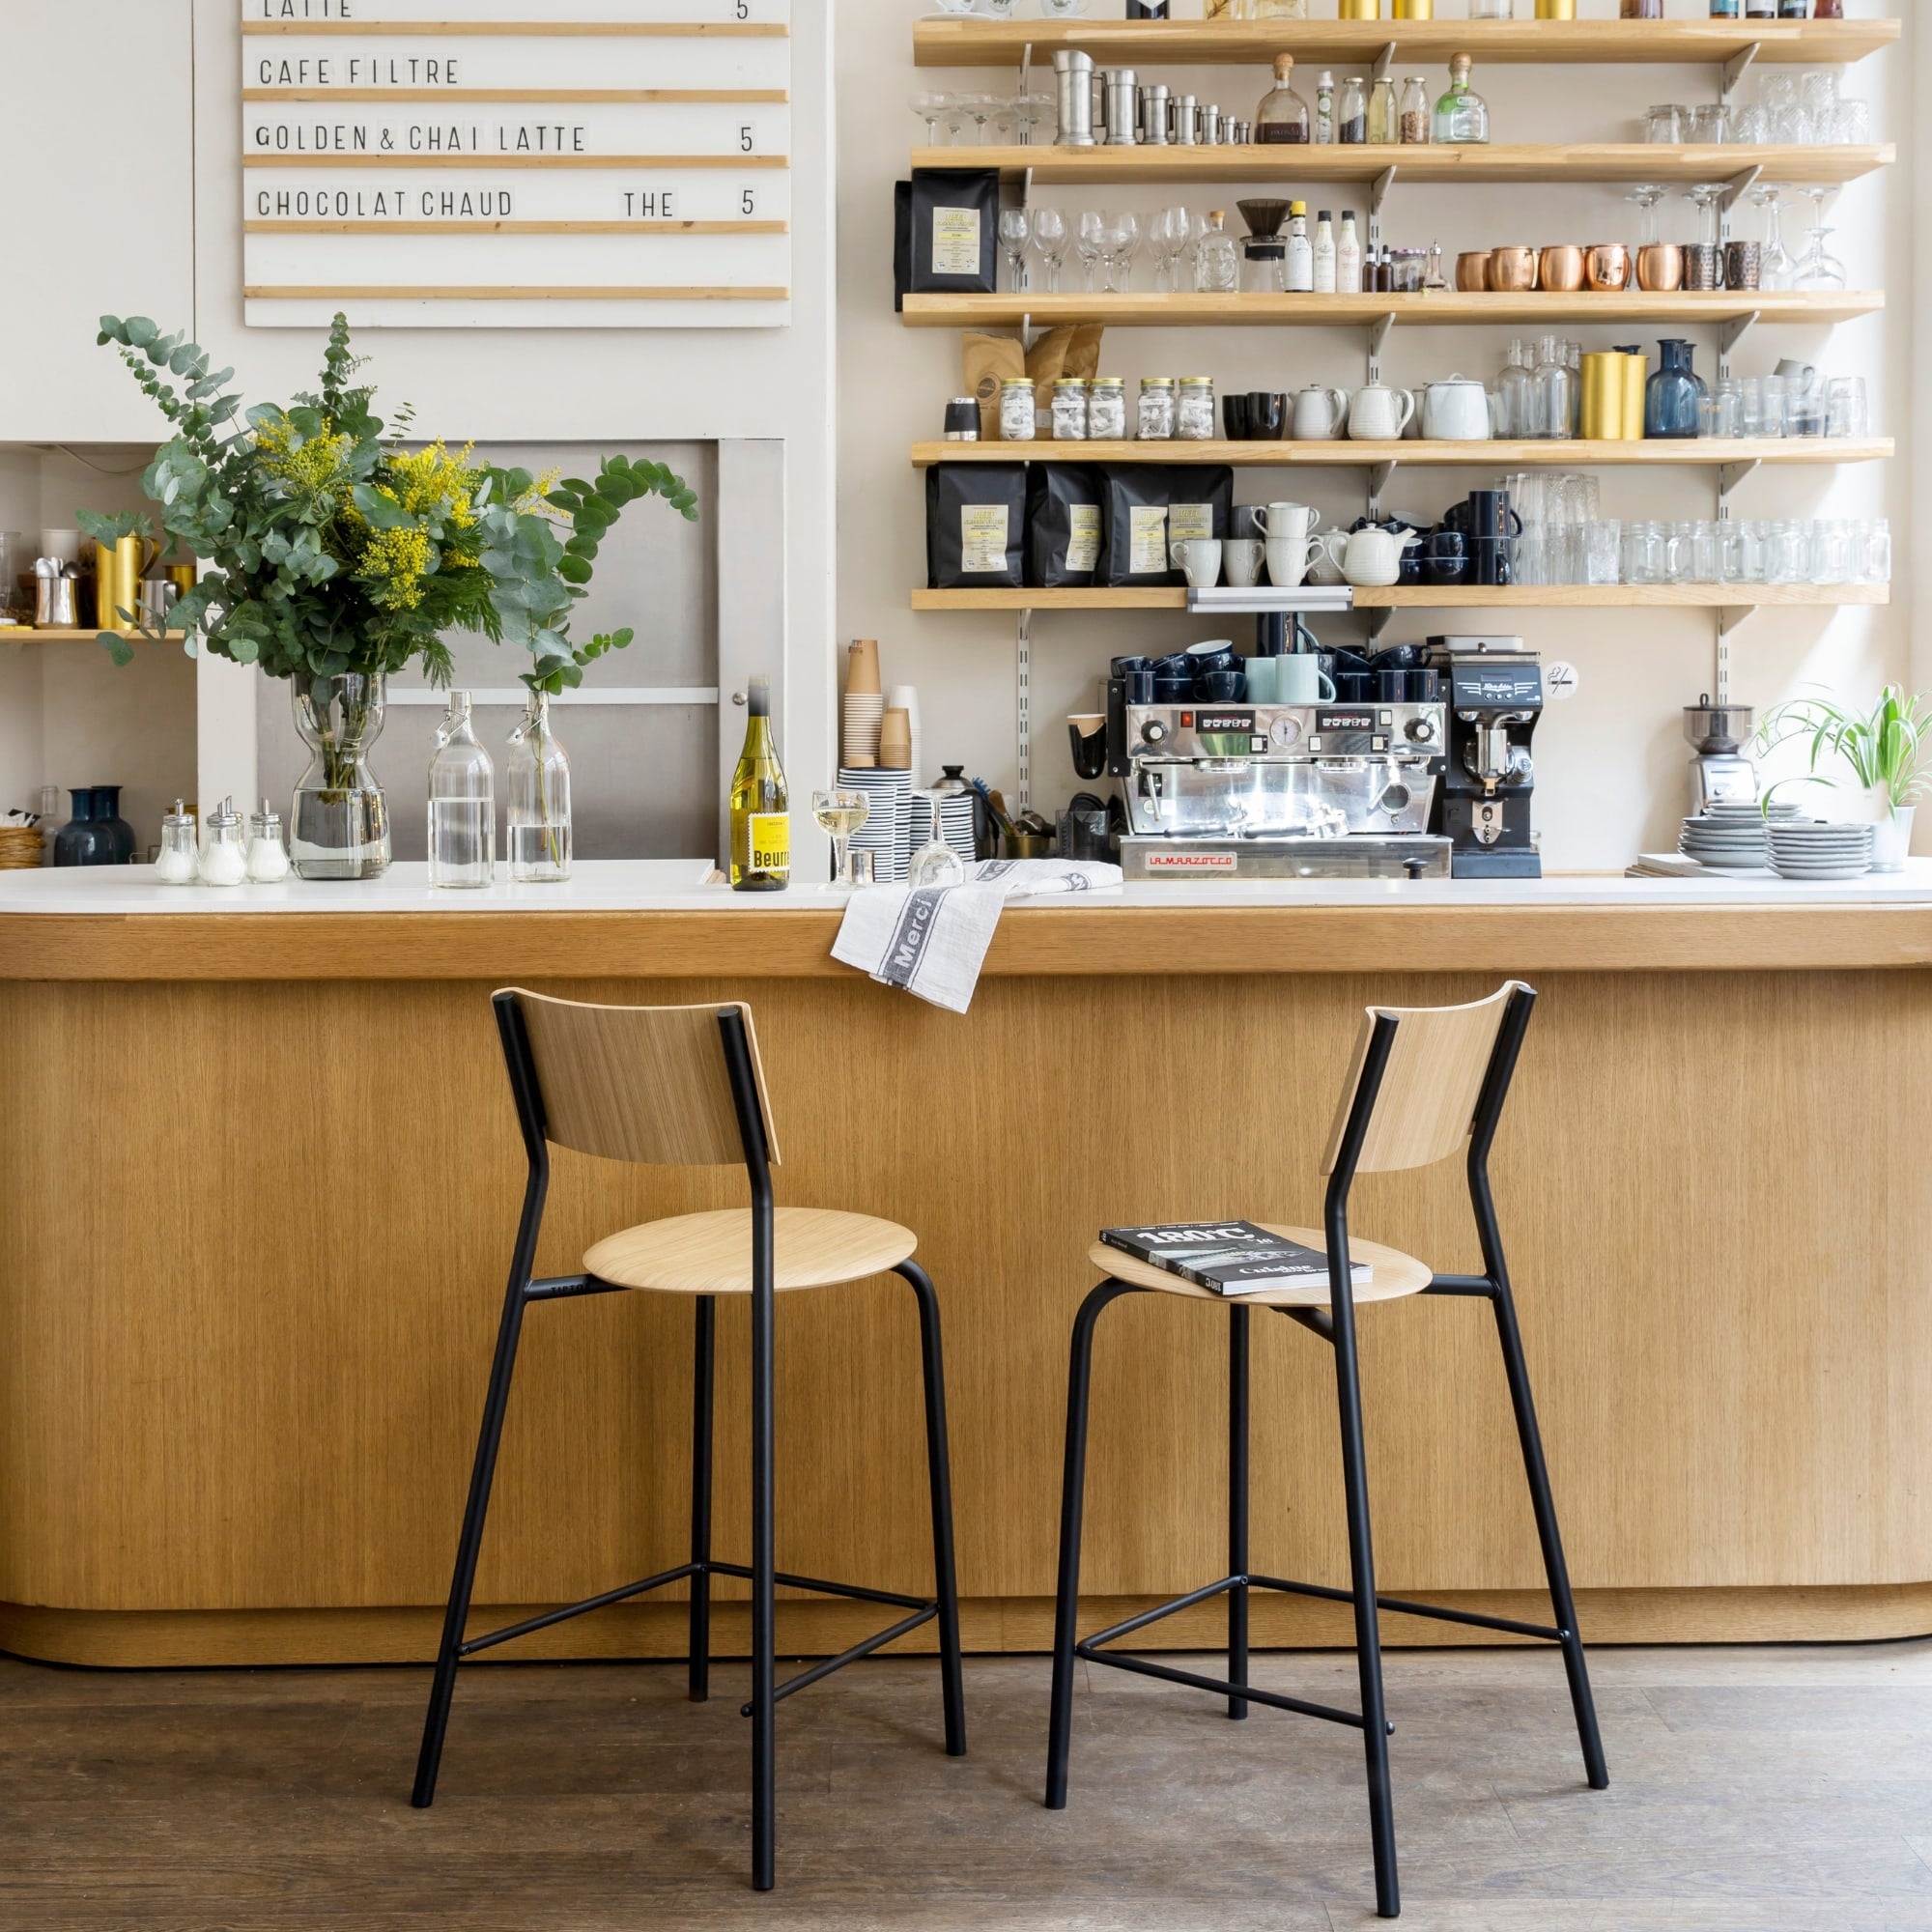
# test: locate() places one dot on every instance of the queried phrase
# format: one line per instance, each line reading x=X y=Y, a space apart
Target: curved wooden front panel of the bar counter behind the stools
x=254 y=1243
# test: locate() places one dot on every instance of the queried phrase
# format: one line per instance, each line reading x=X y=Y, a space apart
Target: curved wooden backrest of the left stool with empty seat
x=650 y=1085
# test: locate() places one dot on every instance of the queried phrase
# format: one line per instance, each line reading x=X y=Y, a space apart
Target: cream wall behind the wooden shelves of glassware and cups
x=1612 y=764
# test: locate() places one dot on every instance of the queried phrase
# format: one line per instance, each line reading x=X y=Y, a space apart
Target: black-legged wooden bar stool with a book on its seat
x=1425 y=1083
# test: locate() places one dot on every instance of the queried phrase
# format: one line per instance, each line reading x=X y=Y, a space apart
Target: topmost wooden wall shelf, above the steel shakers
x=1004 y=43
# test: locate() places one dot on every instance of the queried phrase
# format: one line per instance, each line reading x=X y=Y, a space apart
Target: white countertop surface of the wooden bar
x=679 y=886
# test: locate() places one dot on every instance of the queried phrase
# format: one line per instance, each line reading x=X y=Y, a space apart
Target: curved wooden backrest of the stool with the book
x=1421 y=1081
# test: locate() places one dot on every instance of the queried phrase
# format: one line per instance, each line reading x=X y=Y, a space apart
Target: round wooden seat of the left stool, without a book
x=712 y=1253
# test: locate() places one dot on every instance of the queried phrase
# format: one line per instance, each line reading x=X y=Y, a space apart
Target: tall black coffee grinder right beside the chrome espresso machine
x=1494 y=698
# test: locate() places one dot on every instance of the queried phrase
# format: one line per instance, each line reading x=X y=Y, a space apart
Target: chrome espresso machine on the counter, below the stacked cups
x=1278 y=791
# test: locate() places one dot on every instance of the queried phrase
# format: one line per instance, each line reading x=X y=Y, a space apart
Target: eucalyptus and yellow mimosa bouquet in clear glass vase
x=335 y=554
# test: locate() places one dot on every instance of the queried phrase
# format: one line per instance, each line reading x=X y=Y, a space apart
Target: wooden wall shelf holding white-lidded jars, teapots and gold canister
x=1659 y=455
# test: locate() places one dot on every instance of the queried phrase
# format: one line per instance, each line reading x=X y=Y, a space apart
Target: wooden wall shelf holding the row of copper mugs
x=1444 y=310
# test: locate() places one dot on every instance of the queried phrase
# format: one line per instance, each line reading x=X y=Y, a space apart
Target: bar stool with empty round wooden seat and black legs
x=683 y=1087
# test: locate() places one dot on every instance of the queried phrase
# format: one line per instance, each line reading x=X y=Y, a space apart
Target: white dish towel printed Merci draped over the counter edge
x=934 y=940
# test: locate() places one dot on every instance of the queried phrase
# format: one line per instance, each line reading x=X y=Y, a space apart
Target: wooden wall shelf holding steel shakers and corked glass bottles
x=1624 y=161
